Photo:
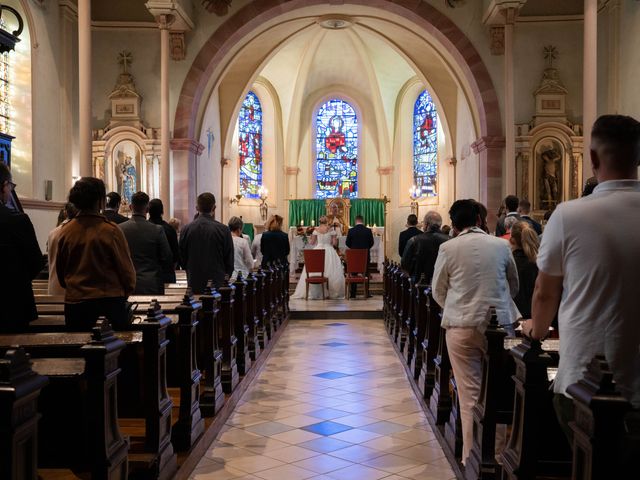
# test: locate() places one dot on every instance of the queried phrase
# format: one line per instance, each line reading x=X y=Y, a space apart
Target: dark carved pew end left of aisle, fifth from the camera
x=209 y=352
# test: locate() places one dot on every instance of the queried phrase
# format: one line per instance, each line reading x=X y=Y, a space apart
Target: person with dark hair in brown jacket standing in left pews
x=93 y=262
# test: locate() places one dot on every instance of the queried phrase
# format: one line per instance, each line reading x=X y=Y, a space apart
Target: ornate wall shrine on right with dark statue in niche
x=549 y=148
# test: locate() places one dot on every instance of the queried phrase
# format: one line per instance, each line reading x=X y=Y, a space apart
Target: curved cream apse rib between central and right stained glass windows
x=381 y=140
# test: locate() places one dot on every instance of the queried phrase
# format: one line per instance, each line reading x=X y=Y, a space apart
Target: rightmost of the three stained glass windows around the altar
x=425 y=145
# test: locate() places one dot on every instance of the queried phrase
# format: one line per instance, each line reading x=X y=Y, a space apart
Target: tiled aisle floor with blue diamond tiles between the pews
x=333 y=402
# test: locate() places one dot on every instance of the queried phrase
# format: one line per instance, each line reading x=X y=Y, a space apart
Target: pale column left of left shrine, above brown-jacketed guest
x=84 y=86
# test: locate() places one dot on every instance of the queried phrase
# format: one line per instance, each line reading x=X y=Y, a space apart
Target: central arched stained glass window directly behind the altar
x=336 y=150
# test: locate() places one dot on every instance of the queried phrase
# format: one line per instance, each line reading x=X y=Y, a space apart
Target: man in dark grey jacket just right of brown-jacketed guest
x=149 y=248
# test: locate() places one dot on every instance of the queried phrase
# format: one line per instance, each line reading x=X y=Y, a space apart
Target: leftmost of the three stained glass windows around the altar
x=250 y=146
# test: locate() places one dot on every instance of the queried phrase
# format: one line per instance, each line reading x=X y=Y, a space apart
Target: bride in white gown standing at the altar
x=324 y=238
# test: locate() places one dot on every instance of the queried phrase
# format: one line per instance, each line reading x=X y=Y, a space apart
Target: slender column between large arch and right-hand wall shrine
x=509 y=113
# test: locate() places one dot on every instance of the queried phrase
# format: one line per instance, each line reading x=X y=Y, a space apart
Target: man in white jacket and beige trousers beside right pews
x=473 y=272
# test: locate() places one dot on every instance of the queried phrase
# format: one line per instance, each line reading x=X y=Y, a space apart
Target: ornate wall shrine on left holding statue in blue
x=126 y=153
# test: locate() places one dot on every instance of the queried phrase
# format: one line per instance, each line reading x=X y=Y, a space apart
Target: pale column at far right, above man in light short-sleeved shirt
x=590 y=80
